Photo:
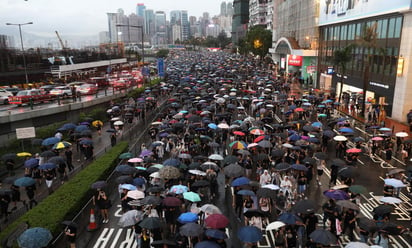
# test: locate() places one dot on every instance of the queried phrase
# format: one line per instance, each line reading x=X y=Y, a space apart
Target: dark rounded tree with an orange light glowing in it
x=258 y=40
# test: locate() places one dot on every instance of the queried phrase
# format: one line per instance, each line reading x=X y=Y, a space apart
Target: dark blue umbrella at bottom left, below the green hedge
x=34 y=238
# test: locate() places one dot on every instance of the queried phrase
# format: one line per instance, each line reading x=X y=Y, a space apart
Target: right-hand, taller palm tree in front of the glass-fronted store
x=367 y=41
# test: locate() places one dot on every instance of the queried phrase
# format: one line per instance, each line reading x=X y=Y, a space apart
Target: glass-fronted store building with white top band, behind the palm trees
x=383 y=66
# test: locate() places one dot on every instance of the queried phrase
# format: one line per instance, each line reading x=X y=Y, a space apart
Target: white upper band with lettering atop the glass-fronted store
x=334 y=11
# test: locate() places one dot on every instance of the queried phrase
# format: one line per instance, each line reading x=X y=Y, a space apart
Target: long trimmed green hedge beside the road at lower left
x=70 y=197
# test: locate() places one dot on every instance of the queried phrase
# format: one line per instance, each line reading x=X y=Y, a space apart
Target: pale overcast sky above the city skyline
x=85 y=17
